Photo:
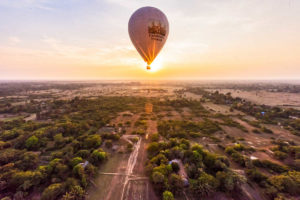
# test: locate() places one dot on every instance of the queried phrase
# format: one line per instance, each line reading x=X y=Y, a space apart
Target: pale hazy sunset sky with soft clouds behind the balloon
x=208 y=39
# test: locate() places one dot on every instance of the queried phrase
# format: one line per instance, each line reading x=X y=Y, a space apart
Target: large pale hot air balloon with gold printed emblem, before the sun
x=148 y=29
